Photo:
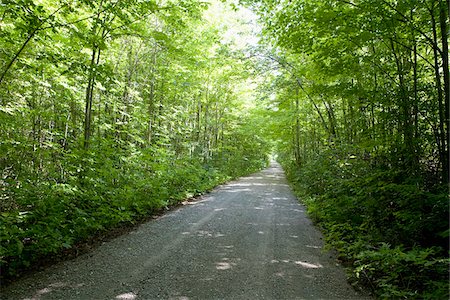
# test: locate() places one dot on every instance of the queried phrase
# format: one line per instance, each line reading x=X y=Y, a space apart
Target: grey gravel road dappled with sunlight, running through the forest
x=249 y=239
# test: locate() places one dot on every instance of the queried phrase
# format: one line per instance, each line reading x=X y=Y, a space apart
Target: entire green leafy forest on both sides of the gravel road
x=114 y=110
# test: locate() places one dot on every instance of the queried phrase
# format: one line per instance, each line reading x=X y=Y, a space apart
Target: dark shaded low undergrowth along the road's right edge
x=390 y=227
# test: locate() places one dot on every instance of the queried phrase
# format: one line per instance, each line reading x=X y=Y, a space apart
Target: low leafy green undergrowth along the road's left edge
x=47 y=215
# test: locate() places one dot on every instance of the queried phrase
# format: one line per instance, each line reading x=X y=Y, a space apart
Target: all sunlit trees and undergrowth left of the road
x=110 y=111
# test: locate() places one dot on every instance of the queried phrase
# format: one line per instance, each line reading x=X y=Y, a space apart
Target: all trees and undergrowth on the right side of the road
x=358 y=102
